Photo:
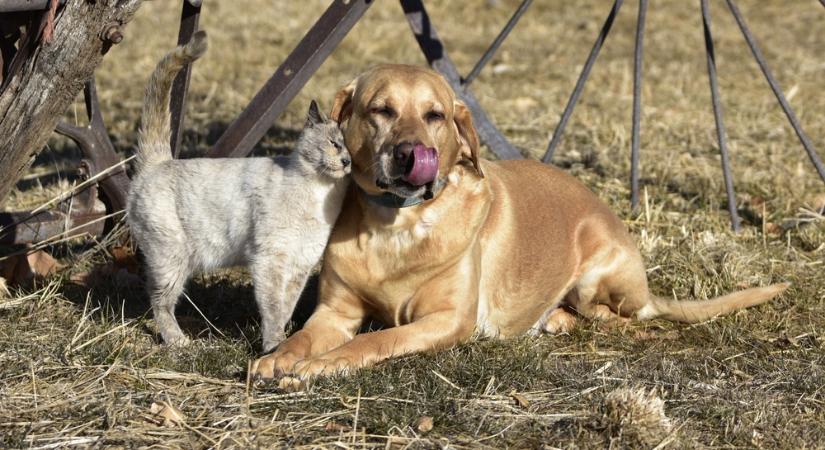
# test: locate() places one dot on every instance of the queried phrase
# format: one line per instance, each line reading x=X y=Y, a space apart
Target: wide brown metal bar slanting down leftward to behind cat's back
x=242 y=135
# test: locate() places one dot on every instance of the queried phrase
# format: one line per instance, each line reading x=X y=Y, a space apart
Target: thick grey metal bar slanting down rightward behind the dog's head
x=433 y=49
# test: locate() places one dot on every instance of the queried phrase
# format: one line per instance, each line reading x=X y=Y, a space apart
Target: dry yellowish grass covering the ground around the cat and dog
x=82 y=366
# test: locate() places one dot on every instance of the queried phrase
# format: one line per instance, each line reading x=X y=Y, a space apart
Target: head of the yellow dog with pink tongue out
x=405 y=129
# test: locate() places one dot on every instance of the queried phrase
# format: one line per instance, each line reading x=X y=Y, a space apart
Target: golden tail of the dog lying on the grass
x=698 y=311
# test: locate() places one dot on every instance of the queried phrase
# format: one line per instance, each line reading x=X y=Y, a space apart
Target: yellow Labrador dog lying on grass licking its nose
x=438 y=244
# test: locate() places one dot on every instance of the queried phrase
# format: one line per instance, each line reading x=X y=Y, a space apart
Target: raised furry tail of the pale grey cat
x=155 y=129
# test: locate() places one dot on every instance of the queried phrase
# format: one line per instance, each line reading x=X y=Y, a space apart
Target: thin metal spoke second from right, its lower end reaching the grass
x=717 y=114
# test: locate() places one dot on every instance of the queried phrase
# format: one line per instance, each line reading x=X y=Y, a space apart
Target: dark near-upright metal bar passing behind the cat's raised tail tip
x=188 y=25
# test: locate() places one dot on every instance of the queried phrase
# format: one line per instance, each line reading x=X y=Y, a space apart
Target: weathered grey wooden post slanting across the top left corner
x=46 y=84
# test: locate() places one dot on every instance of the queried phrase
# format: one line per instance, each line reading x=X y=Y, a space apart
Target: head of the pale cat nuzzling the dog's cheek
x=321 y=145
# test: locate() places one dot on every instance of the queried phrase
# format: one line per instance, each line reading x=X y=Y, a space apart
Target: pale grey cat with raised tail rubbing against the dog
x=272 y=214
